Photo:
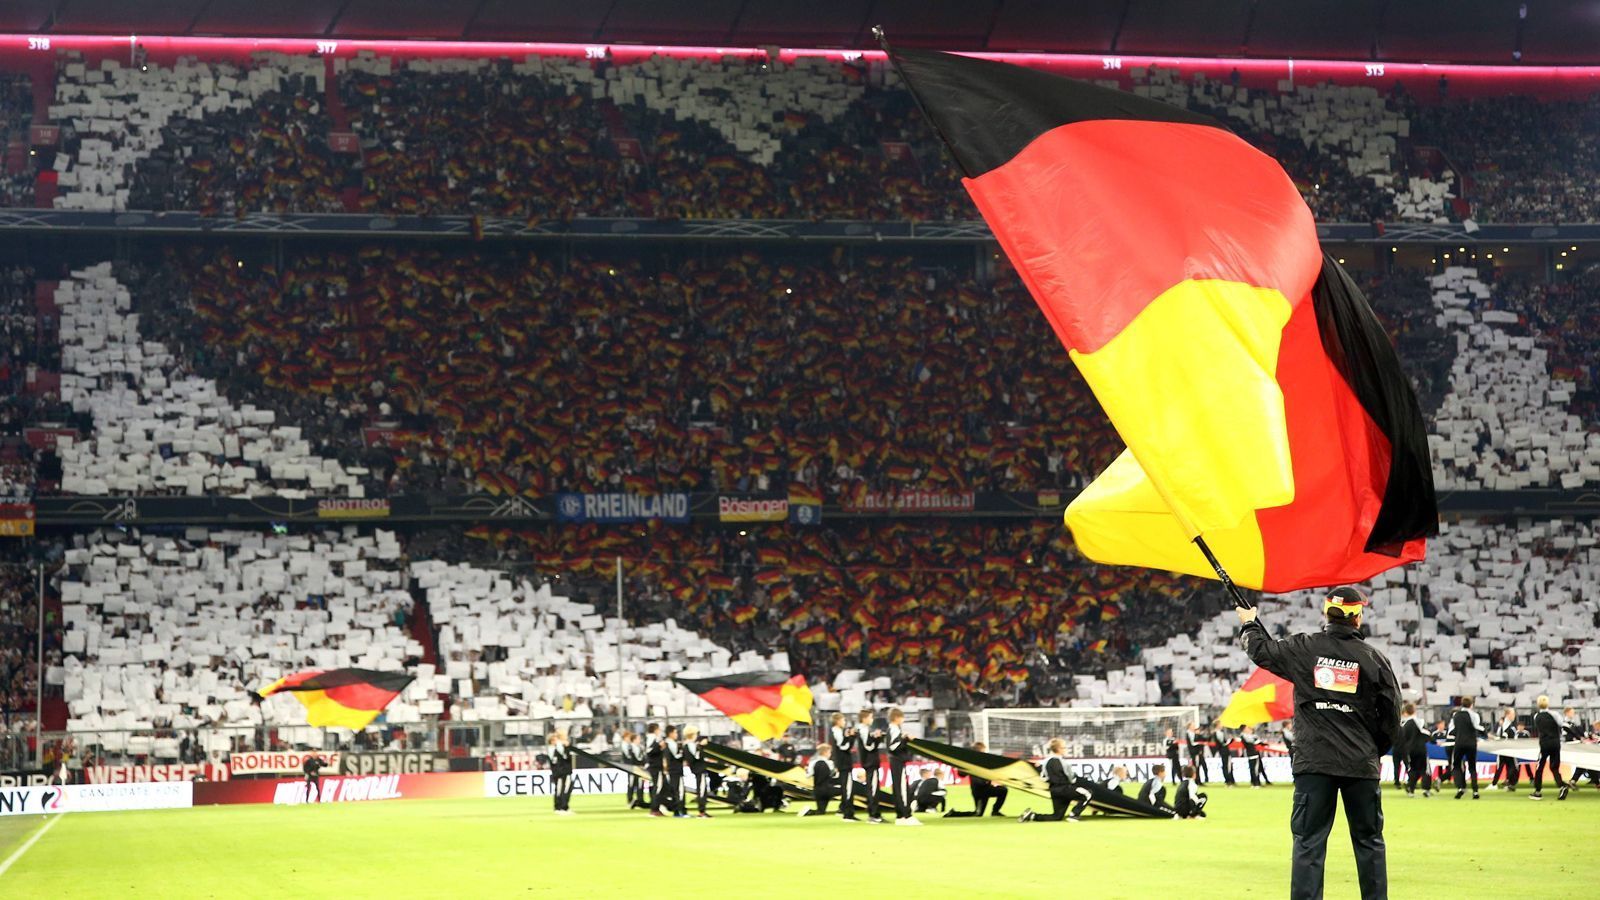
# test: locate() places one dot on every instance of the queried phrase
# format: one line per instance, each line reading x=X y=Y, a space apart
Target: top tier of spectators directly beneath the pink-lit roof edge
x=556 y=139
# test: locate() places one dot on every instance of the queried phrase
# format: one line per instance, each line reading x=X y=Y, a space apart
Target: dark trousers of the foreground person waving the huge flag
x=1311 y=821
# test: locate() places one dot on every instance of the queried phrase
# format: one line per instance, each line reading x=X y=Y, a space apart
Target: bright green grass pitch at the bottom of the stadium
x=1502 y=846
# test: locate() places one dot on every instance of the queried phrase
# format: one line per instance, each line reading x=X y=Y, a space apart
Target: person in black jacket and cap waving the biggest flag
x=1346 y=713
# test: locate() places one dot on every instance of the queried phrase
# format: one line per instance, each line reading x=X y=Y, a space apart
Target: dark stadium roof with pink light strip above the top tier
x=1439 y=31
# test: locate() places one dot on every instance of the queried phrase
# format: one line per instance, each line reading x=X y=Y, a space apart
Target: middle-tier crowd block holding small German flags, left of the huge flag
x=526 y=374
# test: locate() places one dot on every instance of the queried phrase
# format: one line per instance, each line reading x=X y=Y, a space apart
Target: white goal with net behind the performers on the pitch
x=1090 y=733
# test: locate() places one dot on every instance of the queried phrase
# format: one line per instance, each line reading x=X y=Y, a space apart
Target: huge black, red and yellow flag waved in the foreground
x=1260 y=400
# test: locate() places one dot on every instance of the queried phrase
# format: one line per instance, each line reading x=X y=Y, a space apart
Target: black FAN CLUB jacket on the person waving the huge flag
x=1346 y=697
